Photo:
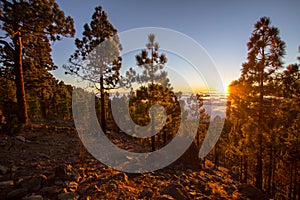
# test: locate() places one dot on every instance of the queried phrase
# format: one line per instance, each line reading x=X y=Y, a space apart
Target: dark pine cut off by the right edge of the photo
x=290 y=117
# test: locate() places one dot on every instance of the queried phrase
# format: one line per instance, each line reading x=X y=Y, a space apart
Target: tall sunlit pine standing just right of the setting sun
x=258 y=83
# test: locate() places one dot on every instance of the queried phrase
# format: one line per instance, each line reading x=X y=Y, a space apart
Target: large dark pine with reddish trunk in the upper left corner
x=29 y=27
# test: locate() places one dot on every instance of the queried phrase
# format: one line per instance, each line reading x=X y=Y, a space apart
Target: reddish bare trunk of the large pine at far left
x=20 y=88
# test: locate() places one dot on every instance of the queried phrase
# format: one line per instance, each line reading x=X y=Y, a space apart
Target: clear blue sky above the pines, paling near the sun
x=221 y=28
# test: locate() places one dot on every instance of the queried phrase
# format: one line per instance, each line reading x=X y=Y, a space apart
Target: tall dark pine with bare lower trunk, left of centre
x=96 y=58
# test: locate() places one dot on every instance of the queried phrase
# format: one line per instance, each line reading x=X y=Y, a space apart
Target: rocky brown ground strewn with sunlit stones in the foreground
x=47 y=161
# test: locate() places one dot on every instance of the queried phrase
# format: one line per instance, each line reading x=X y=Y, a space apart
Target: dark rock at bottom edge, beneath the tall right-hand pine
x=252 y=192
